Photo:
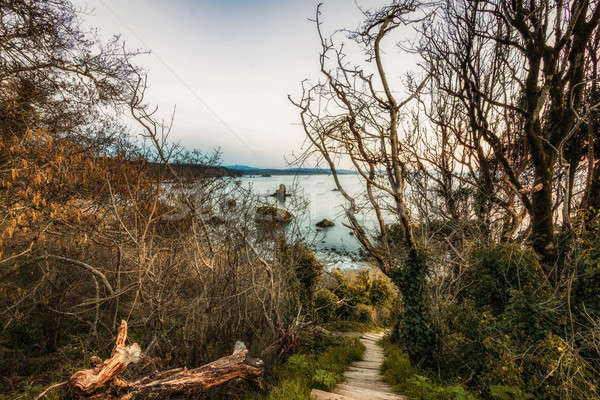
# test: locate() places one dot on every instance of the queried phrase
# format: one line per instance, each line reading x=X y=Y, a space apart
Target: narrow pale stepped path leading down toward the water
x=363 y=381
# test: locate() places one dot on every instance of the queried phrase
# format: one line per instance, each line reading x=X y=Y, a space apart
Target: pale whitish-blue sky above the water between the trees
x=226 y=66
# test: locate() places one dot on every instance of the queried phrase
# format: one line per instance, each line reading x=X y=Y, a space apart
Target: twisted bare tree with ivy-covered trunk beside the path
x=353 y=115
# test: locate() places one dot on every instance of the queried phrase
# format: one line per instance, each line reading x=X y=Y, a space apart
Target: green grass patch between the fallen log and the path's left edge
x=321 y=369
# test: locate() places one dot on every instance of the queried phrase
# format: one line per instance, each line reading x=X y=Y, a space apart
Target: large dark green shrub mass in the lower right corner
x=507 y=331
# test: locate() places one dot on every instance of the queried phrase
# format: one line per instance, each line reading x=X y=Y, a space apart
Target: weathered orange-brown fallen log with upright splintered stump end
x=102 y=382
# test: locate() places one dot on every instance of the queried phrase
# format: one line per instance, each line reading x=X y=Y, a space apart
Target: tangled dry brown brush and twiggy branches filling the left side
x=95 y=228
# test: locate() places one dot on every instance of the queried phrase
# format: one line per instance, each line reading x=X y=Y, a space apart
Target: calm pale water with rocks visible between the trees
x=334 y=245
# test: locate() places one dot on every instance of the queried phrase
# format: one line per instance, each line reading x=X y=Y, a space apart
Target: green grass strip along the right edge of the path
x=407 y=380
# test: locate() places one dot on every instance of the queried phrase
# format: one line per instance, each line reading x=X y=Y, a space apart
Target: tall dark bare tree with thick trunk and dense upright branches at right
x=518 y=68
